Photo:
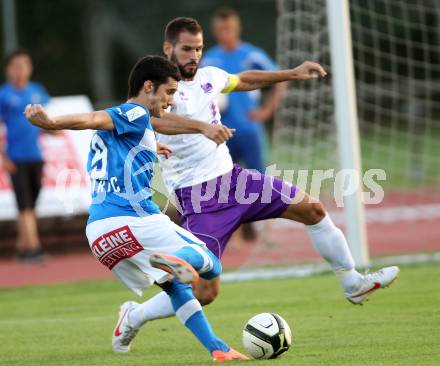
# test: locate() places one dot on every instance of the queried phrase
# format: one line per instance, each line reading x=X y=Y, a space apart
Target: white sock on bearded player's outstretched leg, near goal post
x=331 y=244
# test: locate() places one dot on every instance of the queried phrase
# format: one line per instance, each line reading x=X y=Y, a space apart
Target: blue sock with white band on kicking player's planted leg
x=189 y=312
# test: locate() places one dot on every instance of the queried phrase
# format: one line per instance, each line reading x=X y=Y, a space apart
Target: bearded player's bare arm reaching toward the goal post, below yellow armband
x=251 y=80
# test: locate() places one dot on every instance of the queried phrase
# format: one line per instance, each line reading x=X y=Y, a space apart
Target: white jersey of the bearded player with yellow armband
x=195 y=158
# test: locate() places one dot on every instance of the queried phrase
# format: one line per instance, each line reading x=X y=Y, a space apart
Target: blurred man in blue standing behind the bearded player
x=242 y=111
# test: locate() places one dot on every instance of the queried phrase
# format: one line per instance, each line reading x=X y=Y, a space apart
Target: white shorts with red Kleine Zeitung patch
x=125 y=243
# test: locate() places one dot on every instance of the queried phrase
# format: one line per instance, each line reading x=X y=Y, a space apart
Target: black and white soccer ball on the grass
x=266 y=336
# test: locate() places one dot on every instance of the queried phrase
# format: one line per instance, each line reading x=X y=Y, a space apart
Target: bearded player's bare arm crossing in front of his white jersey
x=173 y=124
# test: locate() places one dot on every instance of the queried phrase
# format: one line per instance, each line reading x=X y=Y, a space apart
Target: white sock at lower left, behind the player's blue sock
x=158 y=307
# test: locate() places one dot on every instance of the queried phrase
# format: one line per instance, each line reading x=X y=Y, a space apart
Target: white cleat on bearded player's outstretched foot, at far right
x=372 y=282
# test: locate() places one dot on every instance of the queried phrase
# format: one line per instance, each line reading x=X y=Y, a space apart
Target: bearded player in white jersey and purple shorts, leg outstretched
x=206 y=183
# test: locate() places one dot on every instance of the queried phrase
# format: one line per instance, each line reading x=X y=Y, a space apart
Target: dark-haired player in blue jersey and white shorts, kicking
x=126 y=230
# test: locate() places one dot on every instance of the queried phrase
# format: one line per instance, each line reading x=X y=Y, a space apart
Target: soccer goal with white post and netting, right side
x=378 y=108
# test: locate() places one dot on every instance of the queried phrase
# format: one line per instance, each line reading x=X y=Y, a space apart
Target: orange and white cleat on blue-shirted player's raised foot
x=179 y=268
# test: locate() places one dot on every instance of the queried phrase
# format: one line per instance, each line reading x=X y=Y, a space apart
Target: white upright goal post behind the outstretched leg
x=338 y=15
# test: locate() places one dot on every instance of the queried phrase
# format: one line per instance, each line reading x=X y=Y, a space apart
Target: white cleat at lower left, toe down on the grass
x=124 y=333
